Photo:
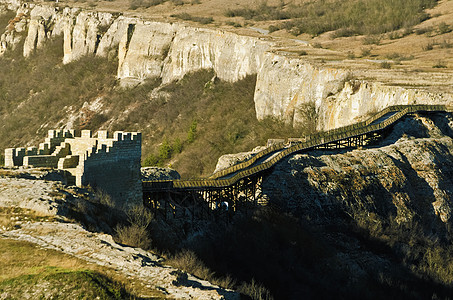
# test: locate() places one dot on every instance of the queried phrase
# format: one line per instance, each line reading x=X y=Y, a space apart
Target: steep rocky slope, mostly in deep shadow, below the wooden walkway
x=369 y=223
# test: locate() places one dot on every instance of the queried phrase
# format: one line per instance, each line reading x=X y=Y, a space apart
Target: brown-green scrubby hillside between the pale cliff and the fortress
x=186 y=124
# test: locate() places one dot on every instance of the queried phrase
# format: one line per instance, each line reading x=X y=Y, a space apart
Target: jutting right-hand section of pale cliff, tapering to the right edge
x=285 y=84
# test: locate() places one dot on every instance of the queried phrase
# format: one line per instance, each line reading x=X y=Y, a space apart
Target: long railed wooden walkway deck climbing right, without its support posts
x=281 y=150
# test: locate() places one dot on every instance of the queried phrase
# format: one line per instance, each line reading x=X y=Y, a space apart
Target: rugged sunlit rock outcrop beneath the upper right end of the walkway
x=408 y=178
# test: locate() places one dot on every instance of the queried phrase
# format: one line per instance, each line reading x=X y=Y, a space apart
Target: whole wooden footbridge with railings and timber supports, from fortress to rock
x=239 y=186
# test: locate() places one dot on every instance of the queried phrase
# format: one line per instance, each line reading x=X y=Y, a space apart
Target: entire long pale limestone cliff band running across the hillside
x=285 y=84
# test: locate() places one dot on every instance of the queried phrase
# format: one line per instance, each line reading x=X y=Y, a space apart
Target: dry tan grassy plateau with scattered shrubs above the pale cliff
x=349 y=33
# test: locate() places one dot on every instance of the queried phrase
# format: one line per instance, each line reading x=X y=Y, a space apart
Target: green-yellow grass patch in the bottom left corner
x=28 y=271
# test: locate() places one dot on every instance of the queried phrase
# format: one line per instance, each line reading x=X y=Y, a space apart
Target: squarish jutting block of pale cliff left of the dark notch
x=284 y=84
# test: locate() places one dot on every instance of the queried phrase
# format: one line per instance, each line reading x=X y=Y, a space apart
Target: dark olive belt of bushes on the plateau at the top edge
x=345 y=17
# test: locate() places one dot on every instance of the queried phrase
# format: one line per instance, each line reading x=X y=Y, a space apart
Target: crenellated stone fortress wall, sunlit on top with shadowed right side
x=109 y=162
